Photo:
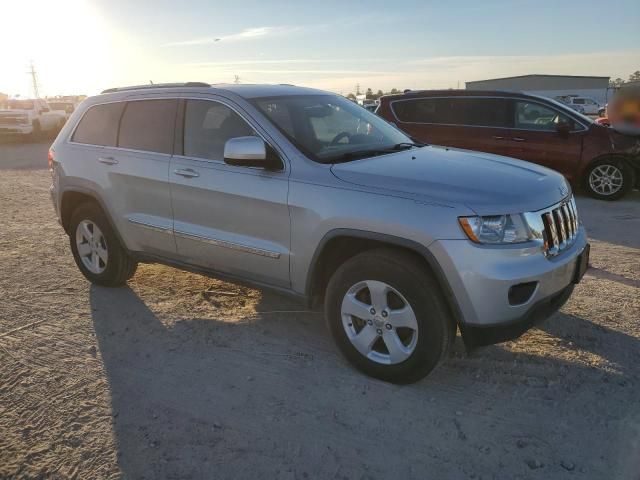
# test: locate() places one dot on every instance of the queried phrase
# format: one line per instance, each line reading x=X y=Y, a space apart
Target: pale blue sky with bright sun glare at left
x=85 y=46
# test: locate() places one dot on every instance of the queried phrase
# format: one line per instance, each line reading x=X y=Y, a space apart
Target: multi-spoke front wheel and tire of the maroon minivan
x=616 y=175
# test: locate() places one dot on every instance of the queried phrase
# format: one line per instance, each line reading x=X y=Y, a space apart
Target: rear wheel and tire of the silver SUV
x=96 y=248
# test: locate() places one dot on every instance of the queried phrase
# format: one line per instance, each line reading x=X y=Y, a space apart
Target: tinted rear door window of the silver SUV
x=148 y=125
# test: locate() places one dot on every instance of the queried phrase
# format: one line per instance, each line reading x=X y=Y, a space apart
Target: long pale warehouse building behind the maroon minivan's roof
x=550 y=86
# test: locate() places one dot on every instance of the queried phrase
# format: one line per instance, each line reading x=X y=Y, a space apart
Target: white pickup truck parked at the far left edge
x=32 y=118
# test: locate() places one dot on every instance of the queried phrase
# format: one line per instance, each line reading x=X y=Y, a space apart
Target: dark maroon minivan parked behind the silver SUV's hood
x=517 y=125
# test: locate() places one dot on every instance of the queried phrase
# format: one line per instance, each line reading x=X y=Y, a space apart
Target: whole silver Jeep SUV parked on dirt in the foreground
x=307 y=193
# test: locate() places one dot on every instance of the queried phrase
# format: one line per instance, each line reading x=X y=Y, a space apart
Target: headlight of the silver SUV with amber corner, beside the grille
x=496 y=229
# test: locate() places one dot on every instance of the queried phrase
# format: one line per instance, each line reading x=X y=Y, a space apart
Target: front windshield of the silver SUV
x=330 y=128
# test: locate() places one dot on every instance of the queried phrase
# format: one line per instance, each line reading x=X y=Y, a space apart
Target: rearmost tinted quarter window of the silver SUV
x=99 y=125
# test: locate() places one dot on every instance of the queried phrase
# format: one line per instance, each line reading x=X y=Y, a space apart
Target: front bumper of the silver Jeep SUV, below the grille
x=481 y=277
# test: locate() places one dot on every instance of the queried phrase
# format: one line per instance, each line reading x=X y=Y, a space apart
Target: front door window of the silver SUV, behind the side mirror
x=207 y=127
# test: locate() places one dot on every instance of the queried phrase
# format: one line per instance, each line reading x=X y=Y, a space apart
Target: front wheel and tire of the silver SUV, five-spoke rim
x=406 y=284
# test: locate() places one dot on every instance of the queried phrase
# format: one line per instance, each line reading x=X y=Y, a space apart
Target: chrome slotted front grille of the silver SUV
x=560 y=227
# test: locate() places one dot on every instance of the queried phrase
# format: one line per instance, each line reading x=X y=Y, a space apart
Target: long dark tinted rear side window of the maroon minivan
x=487 y=112
